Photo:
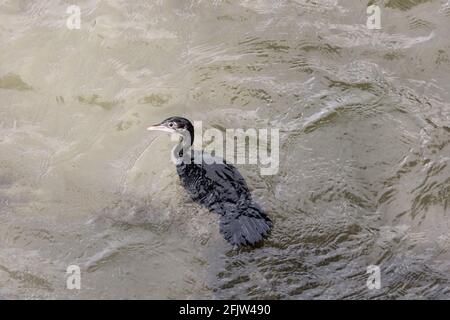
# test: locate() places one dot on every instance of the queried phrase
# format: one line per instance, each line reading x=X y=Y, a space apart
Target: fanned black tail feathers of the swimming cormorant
x=245 y=226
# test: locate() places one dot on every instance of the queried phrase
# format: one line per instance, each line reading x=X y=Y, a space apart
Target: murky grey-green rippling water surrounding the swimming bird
x=364 y=173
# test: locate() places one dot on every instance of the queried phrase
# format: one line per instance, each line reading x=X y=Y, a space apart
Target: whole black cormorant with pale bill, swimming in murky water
x=218 y=186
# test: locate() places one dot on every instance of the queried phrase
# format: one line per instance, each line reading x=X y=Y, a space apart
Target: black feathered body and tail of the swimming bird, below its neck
x=222 y=189
